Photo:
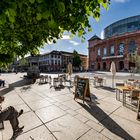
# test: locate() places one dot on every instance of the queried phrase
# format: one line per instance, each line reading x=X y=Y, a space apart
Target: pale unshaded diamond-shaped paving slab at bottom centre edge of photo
x=67 y=128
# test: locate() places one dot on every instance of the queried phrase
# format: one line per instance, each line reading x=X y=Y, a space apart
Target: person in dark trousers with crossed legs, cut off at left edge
x=11 y=114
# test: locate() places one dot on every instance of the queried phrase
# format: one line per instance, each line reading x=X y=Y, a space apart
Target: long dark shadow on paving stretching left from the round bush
x=20 y=83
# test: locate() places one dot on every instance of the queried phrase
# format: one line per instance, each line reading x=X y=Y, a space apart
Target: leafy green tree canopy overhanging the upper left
x=25 y=25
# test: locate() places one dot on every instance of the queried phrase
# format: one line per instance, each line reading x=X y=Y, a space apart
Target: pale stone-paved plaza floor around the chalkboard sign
x=51 y=114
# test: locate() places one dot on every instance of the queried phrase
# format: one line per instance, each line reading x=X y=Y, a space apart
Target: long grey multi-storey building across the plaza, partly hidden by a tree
x=55 y=61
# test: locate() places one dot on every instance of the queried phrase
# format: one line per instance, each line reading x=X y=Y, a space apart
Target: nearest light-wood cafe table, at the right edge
x=124 y=90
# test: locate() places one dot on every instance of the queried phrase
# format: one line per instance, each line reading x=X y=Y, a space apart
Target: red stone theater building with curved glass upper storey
x=121 y=40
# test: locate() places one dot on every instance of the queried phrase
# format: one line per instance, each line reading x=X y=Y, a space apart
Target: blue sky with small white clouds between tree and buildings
x=118 y=9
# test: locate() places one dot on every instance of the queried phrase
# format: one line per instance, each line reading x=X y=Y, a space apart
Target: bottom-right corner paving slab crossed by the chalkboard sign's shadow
x=122 y=127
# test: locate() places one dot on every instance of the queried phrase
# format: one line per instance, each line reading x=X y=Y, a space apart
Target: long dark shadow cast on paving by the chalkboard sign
x=106 y=121
